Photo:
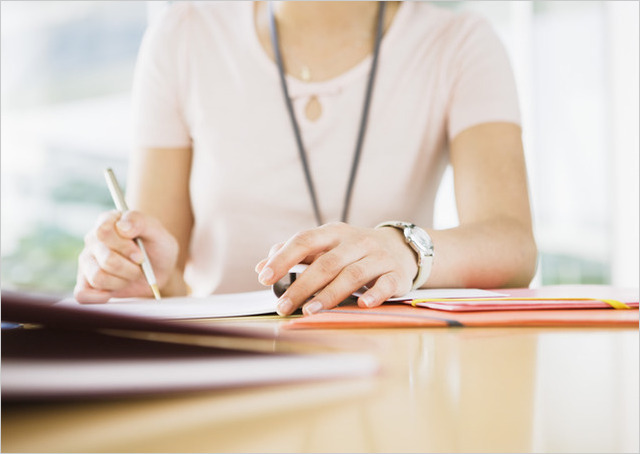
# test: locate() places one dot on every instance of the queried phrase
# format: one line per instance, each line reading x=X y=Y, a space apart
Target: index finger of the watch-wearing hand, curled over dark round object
x=296 y=250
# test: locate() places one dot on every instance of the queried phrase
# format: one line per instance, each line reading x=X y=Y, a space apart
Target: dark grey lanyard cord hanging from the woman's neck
x=363 y=120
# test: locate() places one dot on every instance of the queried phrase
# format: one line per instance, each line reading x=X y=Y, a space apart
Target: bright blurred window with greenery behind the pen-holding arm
x=66 y=75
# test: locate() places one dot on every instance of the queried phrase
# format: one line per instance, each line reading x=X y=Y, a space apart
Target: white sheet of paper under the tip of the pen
x=214 y=306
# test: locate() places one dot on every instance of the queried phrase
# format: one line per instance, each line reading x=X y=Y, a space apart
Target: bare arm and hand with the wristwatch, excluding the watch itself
x=492 y=247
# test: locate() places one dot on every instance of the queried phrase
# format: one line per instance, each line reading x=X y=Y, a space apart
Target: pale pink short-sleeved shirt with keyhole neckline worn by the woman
x=204 y=81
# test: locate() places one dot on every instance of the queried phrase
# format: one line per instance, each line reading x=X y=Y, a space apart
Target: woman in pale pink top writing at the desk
x=247 y=117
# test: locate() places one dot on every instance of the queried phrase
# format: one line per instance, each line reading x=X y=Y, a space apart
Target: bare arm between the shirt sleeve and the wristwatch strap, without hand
x=493 y=246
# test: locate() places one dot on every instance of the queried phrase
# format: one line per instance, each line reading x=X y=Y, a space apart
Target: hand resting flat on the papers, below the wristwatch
x=342 y=258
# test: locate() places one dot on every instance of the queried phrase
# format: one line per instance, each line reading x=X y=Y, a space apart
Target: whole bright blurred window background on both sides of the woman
x=67 y=70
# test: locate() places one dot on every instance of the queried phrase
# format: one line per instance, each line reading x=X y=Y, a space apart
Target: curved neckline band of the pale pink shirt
x=298 y=87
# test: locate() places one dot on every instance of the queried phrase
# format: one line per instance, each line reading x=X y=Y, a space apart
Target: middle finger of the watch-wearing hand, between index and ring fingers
x=320 y=273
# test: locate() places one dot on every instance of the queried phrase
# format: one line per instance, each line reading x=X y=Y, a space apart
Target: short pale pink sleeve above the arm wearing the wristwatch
x=483 y=86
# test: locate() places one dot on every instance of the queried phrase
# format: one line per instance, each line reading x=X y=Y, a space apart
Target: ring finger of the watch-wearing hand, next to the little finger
x=350 y=279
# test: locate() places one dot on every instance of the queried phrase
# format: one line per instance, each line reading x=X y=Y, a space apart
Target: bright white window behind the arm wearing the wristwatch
x=576 y=66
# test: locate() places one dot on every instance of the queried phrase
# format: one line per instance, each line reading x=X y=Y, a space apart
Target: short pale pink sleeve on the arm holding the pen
x=158 y=114
